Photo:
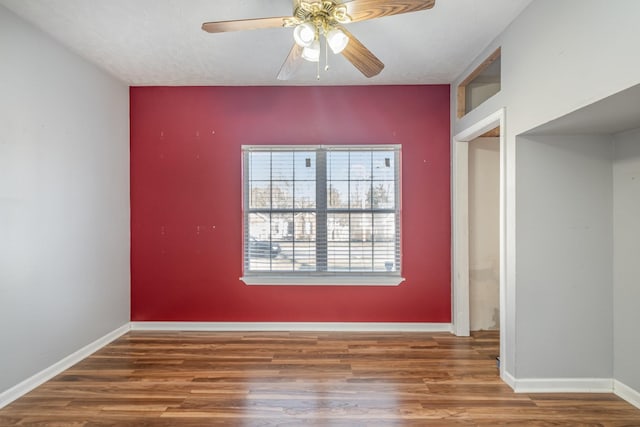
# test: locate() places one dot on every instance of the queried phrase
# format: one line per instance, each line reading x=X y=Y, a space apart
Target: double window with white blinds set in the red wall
x=321 y=214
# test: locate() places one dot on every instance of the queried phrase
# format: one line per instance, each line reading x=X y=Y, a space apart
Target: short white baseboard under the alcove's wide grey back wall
x=563 y=385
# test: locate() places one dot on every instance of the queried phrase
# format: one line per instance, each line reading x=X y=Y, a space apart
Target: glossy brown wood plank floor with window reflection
x=301 y=379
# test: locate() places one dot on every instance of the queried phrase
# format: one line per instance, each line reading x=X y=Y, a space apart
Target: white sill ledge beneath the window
x=323 y=280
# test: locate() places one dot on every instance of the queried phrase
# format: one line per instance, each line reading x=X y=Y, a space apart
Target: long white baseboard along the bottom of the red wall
x=292 y=326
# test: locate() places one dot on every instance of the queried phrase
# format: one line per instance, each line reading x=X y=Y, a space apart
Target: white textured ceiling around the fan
x=159 y=42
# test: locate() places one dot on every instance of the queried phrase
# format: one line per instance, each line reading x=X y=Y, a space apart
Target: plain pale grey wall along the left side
x=64 y=202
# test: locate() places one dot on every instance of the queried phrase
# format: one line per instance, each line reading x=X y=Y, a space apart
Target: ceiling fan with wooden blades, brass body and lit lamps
x=312 y=20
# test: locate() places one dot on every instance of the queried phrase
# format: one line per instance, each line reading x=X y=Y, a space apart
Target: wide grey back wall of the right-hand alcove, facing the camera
x=565 y=262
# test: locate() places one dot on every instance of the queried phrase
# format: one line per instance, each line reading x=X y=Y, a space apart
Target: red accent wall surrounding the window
x=186 y=207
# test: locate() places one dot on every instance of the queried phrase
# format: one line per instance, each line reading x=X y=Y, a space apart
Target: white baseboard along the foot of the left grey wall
x=46 y=374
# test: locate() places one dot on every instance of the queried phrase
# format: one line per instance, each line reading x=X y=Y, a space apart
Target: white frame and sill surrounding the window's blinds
x=323 y=277
